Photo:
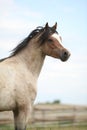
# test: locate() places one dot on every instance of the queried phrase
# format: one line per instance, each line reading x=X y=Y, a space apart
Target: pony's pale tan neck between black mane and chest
x=33 y=57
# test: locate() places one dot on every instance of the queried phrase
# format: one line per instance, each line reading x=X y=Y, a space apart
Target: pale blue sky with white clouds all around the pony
x=65 y=81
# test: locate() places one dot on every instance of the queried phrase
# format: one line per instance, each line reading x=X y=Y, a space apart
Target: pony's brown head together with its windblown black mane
x=49 y=41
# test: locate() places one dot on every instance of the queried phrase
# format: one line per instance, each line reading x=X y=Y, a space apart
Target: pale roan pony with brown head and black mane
x=20 y=71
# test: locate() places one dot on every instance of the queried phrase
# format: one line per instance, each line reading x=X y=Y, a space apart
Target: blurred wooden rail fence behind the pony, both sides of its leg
x=52 y=115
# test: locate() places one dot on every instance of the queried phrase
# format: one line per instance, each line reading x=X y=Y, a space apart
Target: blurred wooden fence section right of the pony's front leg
x=53 y=114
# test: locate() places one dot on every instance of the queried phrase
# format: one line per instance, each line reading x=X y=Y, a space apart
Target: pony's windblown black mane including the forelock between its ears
x=46 y=32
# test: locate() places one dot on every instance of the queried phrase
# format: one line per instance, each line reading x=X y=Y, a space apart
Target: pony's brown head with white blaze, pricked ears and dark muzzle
x=51 y=43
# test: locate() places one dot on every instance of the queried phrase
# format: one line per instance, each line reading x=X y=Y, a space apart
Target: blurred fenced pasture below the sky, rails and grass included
x=51 y=117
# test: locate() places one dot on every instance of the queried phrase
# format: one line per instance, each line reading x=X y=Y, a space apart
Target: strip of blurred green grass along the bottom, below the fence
x=10 y=127
